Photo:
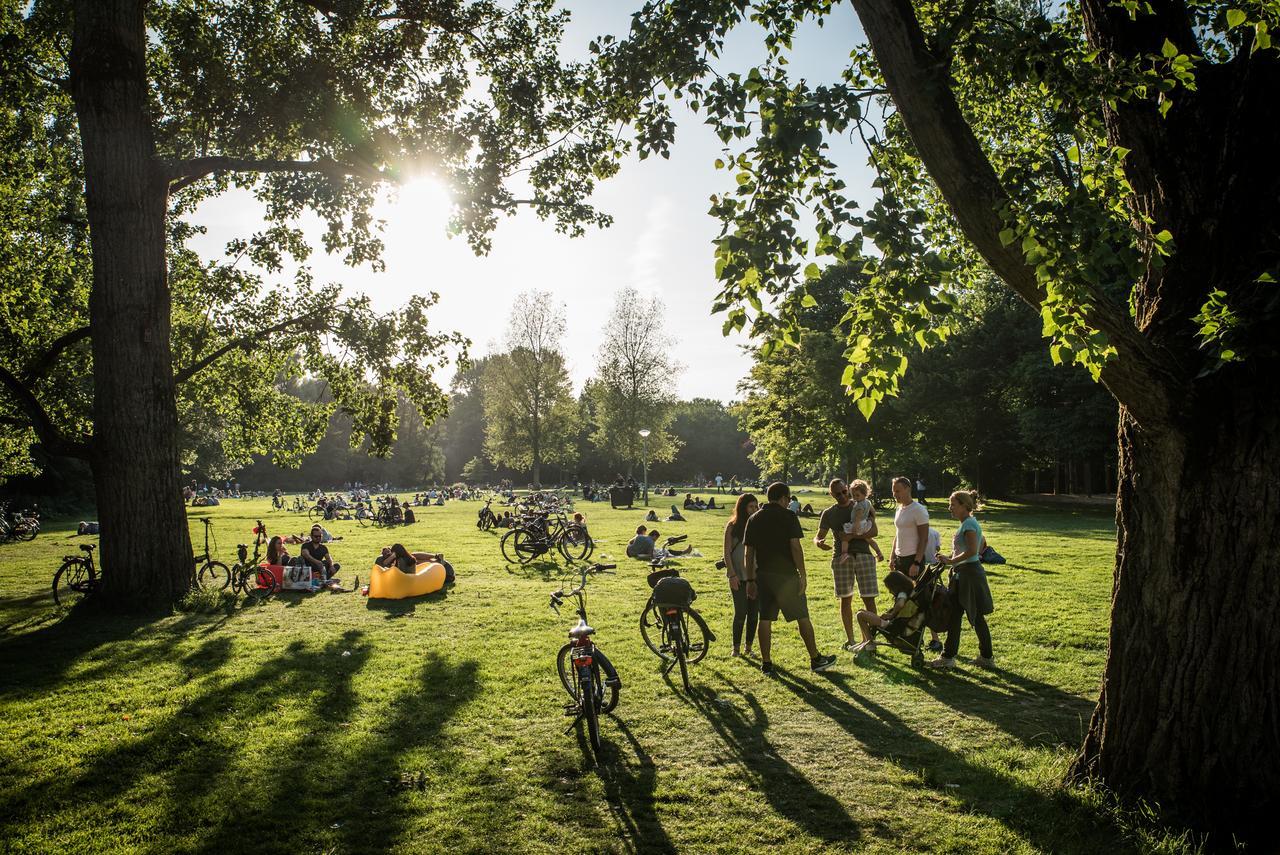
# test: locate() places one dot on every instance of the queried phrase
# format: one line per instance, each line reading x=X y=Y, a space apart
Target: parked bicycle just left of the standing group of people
x=669 y=624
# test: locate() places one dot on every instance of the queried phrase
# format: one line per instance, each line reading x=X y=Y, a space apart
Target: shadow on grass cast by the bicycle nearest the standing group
x=785 y=788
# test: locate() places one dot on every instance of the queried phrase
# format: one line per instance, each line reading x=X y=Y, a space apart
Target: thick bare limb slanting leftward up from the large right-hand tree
x=921 y=88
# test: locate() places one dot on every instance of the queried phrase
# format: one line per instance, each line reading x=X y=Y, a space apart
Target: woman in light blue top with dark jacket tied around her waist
x=971 y=595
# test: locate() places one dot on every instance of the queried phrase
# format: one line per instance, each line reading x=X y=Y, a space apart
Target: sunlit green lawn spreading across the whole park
x=333 y=724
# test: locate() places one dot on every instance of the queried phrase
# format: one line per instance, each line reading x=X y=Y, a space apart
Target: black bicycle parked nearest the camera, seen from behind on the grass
x=580 y=664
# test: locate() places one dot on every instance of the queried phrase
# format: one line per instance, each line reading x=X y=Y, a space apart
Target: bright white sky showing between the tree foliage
x=660 y=243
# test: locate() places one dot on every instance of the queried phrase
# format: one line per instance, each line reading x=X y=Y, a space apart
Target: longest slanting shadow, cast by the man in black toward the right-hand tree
x=1054 y=825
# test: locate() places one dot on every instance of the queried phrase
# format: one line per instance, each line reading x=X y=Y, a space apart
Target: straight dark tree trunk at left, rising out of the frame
x=145 y=543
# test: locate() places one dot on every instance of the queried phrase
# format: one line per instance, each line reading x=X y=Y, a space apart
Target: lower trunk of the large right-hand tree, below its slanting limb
x=1190 y=712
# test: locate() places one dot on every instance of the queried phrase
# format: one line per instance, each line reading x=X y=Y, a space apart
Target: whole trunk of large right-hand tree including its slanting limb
x=1190 y=711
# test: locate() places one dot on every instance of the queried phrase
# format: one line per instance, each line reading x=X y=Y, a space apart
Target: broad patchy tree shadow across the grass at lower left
x=275 y=781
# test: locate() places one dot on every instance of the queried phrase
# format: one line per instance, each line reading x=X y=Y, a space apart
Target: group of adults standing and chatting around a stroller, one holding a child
x=767 y=575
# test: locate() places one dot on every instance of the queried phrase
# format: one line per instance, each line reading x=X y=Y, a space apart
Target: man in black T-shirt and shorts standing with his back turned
x=775 y=574
